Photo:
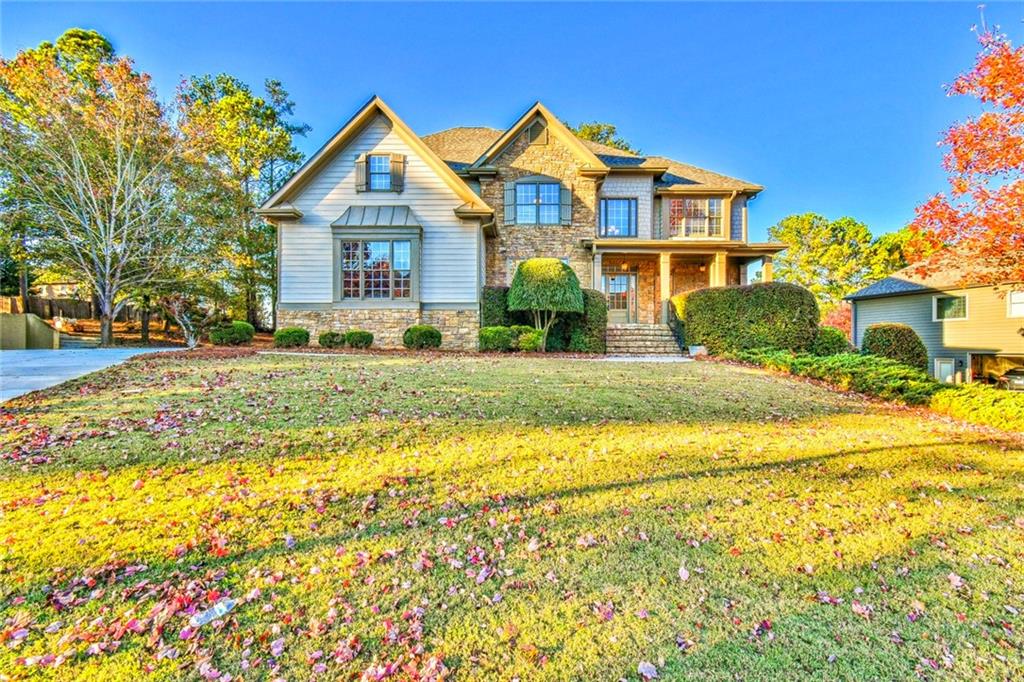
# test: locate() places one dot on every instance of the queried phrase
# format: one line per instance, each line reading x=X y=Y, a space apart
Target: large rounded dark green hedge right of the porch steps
x=774 y=315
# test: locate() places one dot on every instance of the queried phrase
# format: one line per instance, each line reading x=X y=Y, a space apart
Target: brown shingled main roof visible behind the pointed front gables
x=461 y=147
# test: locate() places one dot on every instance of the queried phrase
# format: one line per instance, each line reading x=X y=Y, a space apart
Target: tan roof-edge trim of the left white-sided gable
x=349 y=132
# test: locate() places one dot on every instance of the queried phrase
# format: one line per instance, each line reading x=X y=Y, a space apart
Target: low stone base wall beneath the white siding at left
x=459 y=328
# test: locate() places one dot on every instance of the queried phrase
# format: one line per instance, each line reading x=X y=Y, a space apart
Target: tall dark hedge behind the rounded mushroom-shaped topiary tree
x=583 y=333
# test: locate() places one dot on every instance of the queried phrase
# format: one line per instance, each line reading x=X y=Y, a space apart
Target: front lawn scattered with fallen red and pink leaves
x=351 y=504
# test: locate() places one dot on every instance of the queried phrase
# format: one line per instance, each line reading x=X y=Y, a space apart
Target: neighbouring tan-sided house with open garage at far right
x=973 y=333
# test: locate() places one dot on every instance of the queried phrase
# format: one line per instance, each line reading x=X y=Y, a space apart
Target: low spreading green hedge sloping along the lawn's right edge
x=881 y=377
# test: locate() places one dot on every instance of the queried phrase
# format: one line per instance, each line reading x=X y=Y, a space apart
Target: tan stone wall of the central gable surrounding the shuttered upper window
x=518 y=243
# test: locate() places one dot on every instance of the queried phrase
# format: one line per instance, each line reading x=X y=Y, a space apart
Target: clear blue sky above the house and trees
x=834 y=108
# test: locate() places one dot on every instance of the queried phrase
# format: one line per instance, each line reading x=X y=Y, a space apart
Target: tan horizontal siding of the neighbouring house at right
x=988 y=329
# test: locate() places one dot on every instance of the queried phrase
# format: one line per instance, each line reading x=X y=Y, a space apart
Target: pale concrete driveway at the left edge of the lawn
x=26 y=371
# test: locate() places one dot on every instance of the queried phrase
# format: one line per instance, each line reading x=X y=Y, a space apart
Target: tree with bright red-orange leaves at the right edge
x=984 y=215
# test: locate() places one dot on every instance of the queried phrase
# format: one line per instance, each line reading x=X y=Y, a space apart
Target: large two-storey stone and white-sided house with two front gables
x=382 y=229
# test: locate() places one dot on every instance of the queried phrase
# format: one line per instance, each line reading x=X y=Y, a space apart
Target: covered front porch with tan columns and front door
x=639 y=284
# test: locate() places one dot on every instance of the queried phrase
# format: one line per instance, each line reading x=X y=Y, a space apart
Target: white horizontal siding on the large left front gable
x=450 y=270
